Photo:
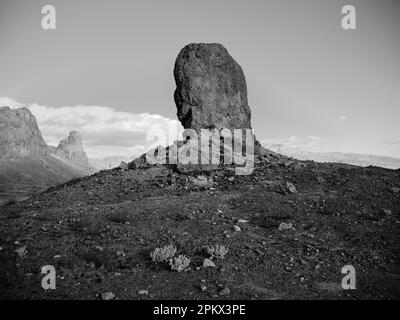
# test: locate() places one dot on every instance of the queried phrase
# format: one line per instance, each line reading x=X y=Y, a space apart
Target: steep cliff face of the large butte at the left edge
x=19 y=134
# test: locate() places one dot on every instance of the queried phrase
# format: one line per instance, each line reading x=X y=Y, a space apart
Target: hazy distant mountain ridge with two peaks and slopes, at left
x=27 y=164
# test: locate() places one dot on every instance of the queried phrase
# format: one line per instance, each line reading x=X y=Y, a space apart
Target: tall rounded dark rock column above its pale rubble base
x=211 y=89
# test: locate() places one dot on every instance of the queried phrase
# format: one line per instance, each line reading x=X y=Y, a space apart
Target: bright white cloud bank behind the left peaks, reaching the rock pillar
x=106 y=131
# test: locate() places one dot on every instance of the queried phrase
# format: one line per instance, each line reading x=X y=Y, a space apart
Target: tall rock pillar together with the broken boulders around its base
x=210 y=93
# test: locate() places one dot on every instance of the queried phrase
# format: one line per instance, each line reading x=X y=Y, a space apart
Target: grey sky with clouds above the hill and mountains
x=106 y=70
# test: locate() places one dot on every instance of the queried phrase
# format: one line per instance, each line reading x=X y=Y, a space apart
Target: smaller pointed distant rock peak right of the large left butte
x=71 y=150
